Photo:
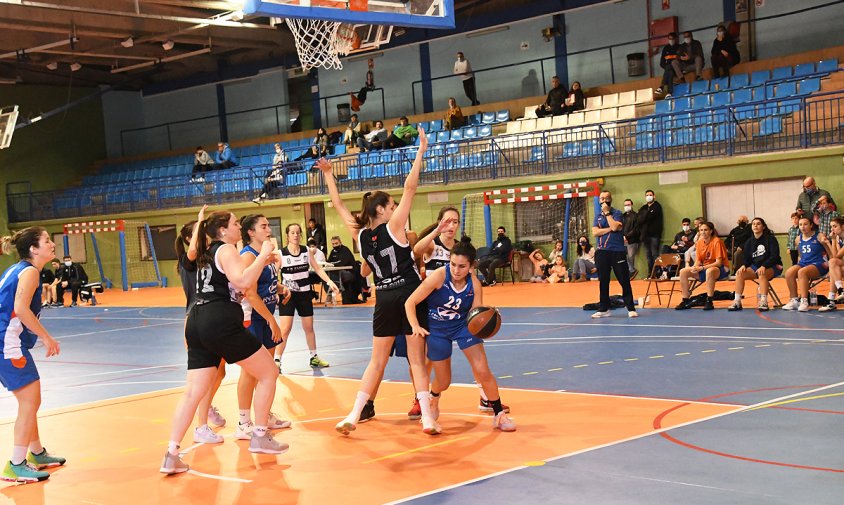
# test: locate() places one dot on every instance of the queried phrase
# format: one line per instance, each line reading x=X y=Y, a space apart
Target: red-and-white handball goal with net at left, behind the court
x=123 y=252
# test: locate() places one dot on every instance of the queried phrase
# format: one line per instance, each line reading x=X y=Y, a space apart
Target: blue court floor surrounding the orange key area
x=786 y=367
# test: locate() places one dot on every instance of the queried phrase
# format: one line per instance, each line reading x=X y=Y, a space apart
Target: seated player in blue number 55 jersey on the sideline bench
x=814 y=251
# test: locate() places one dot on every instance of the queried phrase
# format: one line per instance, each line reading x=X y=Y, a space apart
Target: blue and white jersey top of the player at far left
x=14 y=336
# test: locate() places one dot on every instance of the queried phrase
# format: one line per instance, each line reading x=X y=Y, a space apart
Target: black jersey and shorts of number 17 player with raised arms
x=396 y=277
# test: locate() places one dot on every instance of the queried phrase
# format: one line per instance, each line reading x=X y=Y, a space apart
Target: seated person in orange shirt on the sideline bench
x=711 y=265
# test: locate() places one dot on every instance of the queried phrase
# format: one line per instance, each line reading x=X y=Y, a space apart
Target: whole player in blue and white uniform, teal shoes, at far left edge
x=20 y=306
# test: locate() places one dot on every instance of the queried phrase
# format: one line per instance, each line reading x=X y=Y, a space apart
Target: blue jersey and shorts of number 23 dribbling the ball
x=447 y=312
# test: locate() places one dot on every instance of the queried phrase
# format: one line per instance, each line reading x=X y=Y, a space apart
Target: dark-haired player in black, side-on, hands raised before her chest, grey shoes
x=215 y=331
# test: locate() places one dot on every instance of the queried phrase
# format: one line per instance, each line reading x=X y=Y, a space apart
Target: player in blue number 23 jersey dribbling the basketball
x=451 y=293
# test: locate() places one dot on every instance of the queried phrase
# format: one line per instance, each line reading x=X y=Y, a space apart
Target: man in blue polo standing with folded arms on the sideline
x=611 y=254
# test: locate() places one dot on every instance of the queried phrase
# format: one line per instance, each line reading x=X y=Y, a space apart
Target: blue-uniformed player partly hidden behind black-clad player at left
x=259 y=303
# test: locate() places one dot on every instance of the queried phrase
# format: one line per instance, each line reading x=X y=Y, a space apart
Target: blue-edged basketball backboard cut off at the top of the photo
x=413 y=13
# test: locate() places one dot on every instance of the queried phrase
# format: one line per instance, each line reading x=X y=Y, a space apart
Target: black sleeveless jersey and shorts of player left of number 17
x=214 y=329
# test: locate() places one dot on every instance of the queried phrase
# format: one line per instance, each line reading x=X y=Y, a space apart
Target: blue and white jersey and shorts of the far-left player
x=17 y=368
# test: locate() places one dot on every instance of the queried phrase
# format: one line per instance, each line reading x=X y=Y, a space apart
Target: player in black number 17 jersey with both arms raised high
x=384 y=246
